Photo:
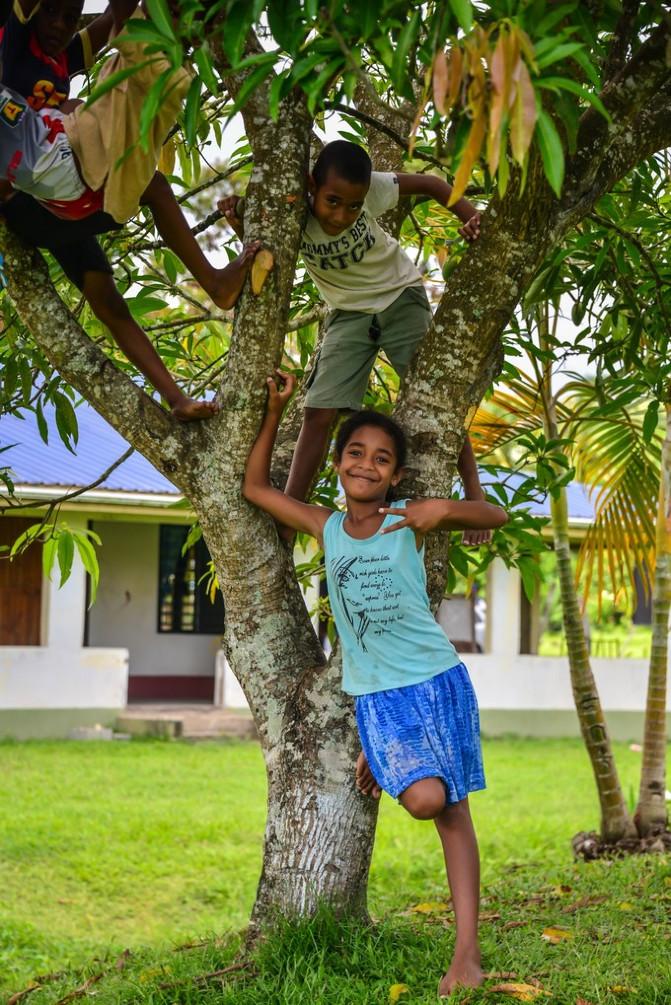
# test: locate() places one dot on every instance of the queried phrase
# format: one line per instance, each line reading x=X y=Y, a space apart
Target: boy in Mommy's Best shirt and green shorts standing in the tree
x=373 y=289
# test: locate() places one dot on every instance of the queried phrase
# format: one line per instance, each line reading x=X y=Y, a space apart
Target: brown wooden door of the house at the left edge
x=21 y=588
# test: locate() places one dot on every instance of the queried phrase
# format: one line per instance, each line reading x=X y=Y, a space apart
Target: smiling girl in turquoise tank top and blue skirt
x=416 y=710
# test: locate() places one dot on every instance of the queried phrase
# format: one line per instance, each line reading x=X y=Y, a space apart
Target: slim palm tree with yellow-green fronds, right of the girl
x=568 y=430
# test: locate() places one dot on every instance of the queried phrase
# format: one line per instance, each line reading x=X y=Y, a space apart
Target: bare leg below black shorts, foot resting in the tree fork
x=110 y=308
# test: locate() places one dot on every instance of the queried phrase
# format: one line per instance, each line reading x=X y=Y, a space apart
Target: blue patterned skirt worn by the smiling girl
x=430 y=730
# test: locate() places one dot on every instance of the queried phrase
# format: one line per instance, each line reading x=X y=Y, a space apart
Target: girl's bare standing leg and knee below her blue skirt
x=425 y=800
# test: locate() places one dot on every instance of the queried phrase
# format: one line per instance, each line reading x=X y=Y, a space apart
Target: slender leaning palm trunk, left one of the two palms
x=616 y=822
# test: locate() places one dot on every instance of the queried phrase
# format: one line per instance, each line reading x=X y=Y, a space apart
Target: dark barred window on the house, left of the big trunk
x=184 y=602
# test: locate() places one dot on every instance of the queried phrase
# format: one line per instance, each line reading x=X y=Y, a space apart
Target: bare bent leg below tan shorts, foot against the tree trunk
x=225 y=286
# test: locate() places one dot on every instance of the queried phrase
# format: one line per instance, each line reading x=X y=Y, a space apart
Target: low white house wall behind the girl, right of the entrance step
x=532 y=696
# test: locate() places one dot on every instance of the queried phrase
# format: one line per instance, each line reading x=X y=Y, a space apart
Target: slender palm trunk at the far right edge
x=651 y=815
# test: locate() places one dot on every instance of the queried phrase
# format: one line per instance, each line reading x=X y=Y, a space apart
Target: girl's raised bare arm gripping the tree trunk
x=257 y=487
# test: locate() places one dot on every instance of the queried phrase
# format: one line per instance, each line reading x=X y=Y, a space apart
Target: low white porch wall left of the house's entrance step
x=47 y=691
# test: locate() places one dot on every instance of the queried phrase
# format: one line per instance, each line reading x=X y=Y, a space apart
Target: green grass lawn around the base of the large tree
x=151 y=846
